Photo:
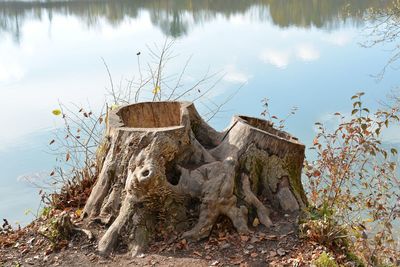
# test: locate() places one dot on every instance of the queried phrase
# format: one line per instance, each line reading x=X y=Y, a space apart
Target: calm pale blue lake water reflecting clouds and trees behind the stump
x=300 y=53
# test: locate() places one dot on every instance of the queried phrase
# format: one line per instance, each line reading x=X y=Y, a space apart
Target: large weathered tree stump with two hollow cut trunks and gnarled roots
x=162 y=156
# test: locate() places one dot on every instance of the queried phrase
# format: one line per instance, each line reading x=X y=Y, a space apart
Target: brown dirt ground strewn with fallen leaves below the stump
x=279 y=245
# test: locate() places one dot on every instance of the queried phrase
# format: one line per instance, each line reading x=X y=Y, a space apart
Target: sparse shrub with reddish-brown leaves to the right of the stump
x=353 y=185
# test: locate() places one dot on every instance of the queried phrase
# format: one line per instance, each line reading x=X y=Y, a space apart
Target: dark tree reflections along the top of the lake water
x=176 y=17
